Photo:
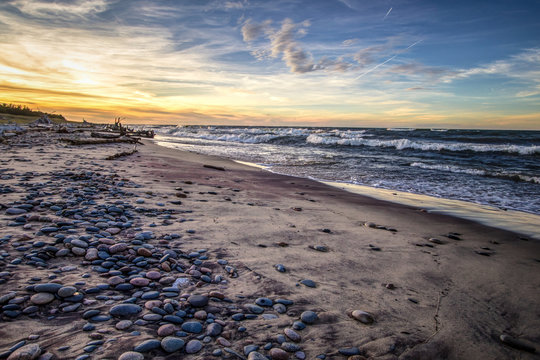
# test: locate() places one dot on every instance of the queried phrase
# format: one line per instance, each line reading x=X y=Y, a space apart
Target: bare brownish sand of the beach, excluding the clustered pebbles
x=449 y=299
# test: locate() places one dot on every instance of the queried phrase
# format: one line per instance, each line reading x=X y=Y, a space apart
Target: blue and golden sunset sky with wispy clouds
x=351 y=63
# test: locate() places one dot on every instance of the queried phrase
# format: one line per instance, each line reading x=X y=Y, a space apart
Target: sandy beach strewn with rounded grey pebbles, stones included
x=168 y=254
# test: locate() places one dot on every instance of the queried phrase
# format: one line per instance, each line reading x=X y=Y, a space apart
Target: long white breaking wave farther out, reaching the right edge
x=401 y=144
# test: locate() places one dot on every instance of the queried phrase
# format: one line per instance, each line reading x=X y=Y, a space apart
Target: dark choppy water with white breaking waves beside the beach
x=497 y=168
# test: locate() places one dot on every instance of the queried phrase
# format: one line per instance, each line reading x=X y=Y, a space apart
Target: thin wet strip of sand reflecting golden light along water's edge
x=520 y=222
